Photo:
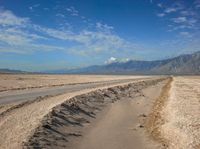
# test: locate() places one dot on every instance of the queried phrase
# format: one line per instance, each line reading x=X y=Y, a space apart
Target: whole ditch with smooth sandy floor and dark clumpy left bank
x=110 y=118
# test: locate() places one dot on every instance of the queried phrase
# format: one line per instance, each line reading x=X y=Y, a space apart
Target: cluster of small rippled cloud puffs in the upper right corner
x=183 y=17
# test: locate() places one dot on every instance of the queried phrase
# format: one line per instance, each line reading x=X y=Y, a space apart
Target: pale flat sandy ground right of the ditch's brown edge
x=182 y=114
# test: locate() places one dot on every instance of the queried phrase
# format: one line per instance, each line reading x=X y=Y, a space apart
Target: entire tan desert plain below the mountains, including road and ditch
x=99 y=111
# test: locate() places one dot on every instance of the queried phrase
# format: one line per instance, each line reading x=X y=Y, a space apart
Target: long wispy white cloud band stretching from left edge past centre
x=88 y=42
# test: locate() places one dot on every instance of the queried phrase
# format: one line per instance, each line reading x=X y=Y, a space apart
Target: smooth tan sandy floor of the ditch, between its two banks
x=122 y=125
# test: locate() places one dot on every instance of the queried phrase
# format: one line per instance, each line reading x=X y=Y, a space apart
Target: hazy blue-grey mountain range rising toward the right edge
x=184 y=64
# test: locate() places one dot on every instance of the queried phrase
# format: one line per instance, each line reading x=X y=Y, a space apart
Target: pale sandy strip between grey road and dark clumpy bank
x=19 y=122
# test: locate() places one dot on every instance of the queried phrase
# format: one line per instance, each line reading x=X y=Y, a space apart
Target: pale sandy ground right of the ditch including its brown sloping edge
x=174 y=120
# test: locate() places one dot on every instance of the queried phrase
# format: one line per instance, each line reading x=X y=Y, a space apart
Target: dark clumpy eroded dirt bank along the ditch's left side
x=67 y=120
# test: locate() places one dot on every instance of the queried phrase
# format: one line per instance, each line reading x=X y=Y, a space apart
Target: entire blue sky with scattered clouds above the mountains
x=40 y=35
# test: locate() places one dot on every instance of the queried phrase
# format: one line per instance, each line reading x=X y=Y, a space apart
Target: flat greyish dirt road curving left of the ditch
x=12 y=96
